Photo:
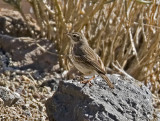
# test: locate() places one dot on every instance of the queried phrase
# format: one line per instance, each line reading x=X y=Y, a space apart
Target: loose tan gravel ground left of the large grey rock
x=29 y=85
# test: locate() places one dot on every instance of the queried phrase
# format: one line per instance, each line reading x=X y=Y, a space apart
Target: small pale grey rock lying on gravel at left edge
x=8 y=96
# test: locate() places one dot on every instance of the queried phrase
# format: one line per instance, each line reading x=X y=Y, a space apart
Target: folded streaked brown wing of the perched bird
x=92 y=59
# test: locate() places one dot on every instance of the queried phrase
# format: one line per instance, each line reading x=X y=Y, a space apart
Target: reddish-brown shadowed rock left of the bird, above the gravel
x=27 y=54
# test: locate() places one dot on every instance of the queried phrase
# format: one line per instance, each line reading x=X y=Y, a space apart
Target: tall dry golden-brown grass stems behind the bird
x=124 y=32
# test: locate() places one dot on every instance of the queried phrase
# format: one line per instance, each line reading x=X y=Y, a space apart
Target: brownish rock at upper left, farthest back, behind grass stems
x=13 y=24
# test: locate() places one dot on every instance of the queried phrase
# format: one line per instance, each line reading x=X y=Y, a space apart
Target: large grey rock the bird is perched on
x=129 y=101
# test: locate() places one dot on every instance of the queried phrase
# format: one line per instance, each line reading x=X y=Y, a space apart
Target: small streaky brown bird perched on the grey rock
x=85 y=59
